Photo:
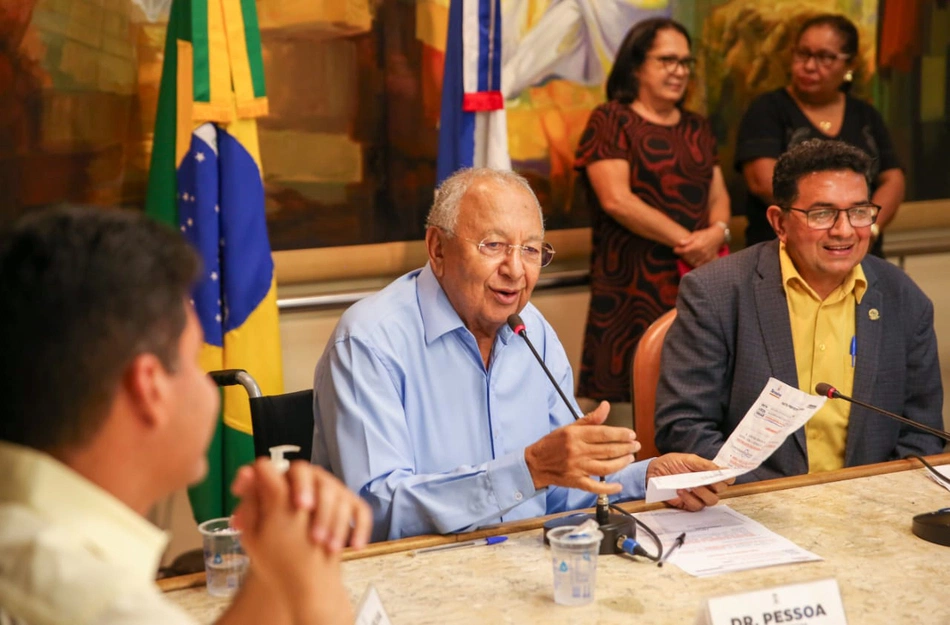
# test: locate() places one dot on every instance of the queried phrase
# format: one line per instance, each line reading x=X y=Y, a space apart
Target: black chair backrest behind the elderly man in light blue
x=283 y=420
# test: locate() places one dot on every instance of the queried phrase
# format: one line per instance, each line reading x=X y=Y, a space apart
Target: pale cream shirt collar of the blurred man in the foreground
x=100 y=523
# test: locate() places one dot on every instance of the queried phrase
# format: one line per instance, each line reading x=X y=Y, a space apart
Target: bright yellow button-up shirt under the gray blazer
x=823 y=334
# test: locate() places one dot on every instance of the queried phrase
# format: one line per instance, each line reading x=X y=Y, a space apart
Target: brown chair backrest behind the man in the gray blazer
x=646 y=375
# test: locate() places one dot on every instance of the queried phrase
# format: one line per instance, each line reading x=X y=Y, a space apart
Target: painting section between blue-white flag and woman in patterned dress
x=556 y=56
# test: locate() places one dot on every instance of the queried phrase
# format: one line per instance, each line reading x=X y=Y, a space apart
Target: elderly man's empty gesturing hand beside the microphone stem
x=570 y=455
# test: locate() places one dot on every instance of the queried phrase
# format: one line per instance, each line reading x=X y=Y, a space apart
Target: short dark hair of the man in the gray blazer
x=814 y=155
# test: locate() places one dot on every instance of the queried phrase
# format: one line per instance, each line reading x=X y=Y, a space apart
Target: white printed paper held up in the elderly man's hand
x=779 y=410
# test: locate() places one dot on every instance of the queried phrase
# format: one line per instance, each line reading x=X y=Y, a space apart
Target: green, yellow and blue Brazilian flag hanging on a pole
x=205 y=178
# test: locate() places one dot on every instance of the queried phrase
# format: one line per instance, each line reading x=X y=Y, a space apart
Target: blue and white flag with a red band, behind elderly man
x=473 y=131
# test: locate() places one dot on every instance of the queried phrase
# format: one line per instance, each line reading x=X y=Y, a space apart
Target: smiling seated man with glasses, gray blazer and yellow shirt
x=809 y=305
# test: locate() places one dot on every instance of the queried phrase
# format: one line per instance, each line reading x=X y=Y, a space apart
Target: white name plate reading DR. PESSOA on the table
x=814 y=603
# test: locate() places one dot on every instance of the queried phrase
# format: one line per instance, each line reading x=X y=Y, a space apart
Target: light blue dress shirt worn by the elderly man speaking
x=407 y=415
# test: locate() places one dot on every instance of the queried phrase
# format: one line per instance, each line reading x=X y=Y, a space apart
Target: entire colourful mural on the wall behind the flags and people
x=349 y=148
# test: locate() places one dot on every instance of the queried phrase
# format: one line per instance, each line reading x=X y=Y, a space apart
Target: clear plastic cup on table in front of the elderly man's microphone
x=574 y=560
